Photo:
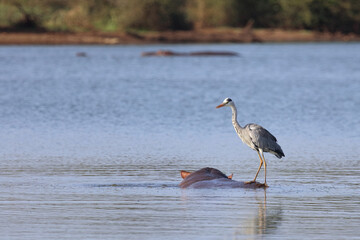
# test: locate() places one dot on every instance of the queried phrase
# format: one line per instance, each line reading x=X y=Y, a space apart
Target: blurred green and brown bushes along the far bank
x=159 y=15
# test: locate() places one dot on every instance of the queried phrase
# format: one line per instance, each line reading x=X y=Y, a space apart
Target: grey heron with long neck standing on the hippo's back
x=255 y=136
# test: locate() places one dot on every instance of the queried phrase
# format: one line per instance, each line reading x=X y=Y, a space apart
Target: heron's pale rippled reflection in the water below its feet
x=265 y=221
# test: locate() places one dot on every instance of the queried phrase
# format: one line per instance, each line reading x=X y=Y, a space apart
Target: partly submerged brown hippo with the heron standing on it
x=210 y=178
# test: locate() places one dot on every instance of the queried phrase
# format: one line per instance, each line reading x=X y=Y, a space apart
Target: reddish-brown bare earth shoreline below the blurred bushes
x=201 y=36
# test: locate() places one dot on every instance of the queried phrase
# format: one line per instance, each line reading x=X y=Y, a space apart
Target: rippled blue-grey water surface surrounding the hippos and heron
x=91 y=147
